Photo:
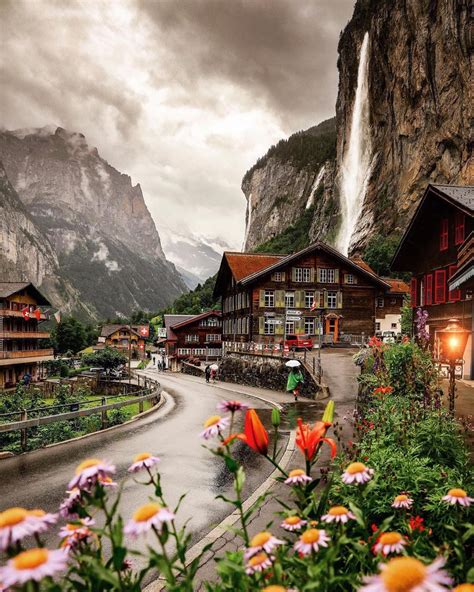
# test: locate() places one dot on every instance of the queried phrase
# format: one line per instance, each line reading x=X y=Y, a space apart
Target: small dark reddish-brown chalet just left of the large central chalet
x=193 y=337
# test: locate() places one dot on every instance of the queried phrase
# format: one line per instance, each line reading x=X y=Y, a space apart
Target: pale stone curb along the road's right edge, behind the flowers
x=231 y=519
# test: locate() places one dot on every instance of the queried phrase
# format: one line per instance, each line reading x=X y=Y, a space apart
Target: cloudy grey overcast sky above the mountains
x=183 y=95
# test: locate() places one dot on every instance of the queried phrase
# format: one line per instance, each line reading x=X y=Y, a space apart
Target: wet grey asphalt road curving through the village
x=39 y=479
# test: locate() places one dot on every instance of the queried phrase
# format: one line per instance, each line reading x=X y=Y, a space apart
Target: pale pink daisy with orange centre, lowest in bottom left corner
x=34 y=564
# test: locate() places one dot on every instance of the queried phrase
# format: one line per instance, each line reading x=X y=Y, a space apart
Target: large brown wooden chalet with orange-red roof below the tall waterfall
x=261 y=295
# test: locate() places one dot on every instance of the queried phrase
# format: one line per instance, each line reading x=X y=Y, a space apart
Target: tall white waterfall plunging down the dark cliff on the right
x=356 y=160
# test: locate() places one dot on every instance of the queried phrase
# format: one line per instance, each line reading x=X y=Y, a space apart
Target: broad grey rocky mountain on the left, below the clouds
x=95 y=221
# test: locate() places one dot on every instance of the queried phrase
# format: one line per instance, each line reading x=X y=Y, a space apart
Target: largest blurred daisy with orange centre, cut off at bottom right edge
x=407 y=574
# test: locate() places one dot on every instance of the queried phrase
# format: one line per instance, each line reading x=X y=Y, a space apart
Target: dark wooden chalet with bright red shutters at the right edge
x=437 y=248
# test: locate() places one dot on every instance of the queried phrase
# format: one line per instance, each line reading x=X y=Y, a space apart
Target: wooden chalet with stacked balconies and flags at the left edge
x=21 y=335
